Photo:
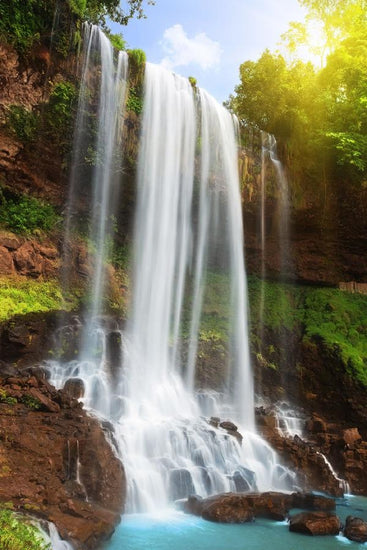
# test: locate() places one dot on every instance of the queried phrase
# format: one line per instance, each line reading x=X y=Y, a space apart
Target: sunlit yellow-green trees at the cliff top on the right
x=319 y=113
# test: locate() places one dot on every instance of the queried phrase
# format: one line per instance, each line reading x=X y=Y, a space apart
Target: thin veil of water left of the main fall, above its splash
x=97 y=142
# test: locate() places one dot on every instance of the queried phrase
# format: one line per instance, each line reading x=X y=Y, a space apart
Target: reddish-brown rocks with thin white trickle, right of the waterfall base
x=329 y=457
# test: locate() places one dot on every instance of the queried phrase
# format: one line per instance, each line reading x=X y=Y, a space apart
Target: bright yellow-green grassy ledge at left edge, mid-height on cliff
x=21 y=296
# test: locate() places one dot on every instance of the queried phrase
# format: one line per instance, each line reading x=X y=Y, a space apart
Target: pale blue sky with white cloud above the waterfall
x=209 y=39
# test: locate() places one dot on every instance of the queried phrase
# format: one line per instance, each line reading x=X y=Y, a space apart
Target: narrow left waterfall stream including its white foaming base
x=97 y=141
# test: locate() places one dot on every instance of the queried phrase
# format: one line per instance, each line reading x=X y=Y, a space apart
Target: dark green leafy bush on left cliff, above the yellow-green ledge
x=25 y=215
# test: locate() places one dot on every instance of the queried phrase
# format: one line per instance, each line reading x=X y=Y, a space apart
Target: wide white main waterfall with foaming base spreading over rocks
x=188 y=229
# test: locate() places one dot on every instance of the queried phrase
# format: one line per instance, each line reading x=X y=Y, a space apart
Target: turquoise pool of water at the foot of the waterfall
x=177 y=531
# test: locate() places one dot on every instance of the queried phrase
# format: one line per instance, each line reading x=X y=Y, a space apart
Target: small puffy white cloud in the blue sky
x=181 y=50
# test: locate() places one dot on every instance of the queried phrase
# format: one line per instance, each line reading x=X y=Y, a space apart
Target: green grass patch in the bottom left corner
x=18 y=534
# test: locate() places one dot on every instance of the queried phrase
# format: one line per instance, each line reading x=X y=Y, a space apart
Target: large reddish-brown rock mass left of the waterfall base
x=55 y=460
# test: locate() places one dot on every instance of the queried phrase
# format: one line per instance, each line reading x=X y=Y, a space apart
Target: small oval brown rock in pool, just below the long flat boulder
x=315 y=523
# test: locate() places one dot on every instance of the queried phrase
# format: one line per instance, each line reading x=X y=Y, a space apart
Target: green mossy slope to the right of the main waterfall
x=336 y=317
